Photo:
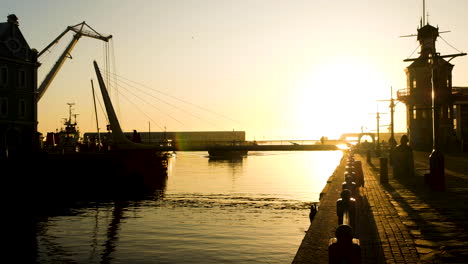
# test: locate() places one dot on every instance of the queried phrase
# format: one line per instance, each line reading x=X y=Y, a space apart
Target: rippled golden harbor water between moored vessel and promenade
x=249 y=210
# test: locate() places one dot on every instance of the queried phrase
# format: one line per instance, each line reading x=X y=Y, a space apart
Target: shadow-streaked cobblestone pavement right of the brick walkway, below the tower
x=437 y=221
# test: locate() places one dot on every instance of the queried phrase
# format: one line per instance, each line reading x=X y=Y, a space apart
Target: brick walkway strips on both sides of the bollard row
x=383 y=237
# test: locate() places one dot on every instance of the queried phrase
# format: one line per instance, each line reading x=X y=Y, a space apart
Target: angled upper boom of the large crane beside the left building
x=81 y=29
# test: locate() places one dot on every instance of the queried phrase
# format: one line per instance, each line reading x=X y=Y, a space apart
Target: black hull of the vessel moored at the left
x=91 y=175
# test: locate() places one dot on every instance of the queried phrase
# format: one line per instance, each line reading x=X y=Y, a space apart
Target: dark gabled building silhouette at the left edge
x=18 y=83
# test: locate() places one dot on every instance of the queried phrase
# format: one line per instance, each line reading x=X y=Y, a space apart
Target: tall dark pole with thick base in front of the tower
x=436 y=159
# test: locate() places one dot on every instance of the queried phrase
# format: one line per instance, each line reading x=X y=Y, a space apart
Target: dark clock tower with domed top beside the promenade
x=418 y=96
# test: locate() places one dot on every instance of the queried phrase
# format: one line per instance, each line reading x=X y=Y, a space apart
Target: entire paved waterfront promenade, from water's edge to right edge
x=399 y=222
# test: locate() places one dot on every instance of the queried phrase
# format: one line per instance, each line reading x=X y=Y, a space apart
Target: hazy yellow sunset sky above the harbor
x=297 y=69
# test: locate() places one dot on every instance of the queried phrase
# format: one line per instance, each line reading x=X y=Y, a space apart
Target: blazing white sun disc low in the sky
x=338 y=97
